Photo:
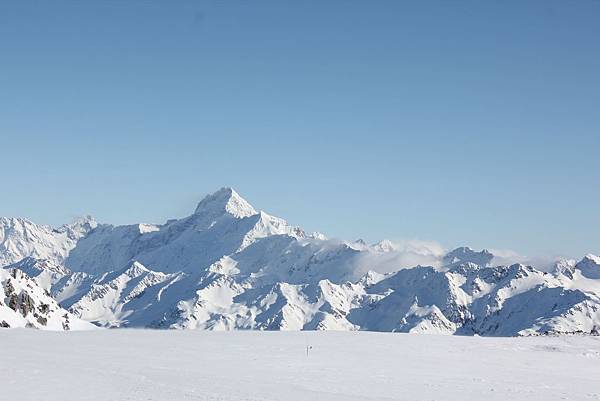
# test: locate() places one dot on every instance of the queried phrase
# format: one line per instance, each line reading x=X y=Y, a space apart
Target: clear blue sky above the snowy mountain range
x=465 y=122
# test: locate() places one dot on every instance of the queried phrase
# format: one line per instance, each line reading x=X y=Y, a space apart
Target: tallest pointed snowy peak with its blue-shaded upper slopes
x=222 y=224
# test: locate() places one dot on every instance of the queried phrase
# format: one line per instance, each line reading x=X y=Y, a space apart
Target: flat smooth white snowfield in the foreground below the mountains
x=268 y=366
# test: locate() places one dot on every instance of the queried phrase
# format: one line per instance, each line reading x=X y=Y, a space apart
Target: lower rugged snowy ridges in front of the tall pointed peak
x=466 y=299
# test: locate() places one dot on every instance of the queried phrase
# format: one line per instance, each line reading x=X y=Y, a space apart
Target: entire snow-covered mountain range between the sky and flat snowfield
x=228 y=266
